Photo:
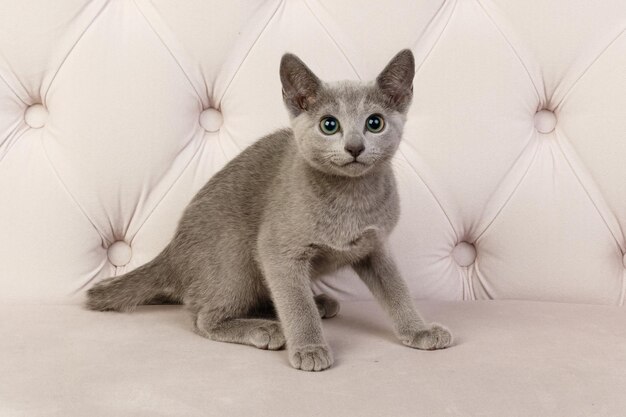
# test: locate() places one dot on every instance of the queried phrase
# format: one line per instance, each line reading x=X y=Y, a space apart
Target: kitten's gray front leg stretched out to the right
x=379 y=272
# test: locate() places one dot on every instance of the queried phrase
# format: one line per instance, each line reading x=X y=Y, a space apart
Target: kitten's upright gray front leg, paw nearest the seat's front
x=287 y=273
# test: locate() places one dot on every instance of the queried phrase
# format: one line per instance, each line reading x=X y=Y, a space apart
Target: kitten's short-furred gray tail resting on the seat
x=152 y=281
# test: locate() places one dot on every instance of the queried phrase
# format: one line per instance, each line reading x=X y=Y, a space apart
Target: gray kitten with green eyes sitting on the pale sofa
x=298 y=203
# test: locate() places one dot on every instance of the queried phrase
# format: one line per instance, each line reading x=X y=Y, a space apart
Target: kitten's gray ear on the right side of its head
x=396 y=80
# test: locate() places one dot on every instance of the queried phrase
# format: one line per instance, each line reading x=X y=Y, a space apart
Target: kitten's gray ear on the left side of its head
x=300 y=85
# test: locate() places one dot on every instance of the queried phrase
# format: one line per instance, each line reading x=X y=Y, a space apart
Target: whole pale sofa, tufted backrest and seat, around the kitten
x=512 y=175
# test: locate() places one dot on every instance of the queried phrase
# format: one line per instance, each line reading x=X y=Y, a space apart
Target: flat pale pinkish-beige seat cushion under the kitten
x=538 y=359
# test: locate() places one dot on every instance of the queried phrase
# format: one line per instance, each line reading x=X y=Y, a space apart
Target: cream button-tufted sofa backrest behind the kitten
x=512 y=171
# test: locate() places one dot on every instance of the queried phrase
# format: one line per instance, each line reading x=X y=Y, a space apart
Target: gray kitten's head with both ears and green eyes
x=348 y=128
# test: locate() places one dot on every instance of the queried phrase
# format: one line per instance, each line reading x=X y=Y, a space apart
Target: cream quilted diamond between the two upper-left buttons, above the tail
x=136 y=148
